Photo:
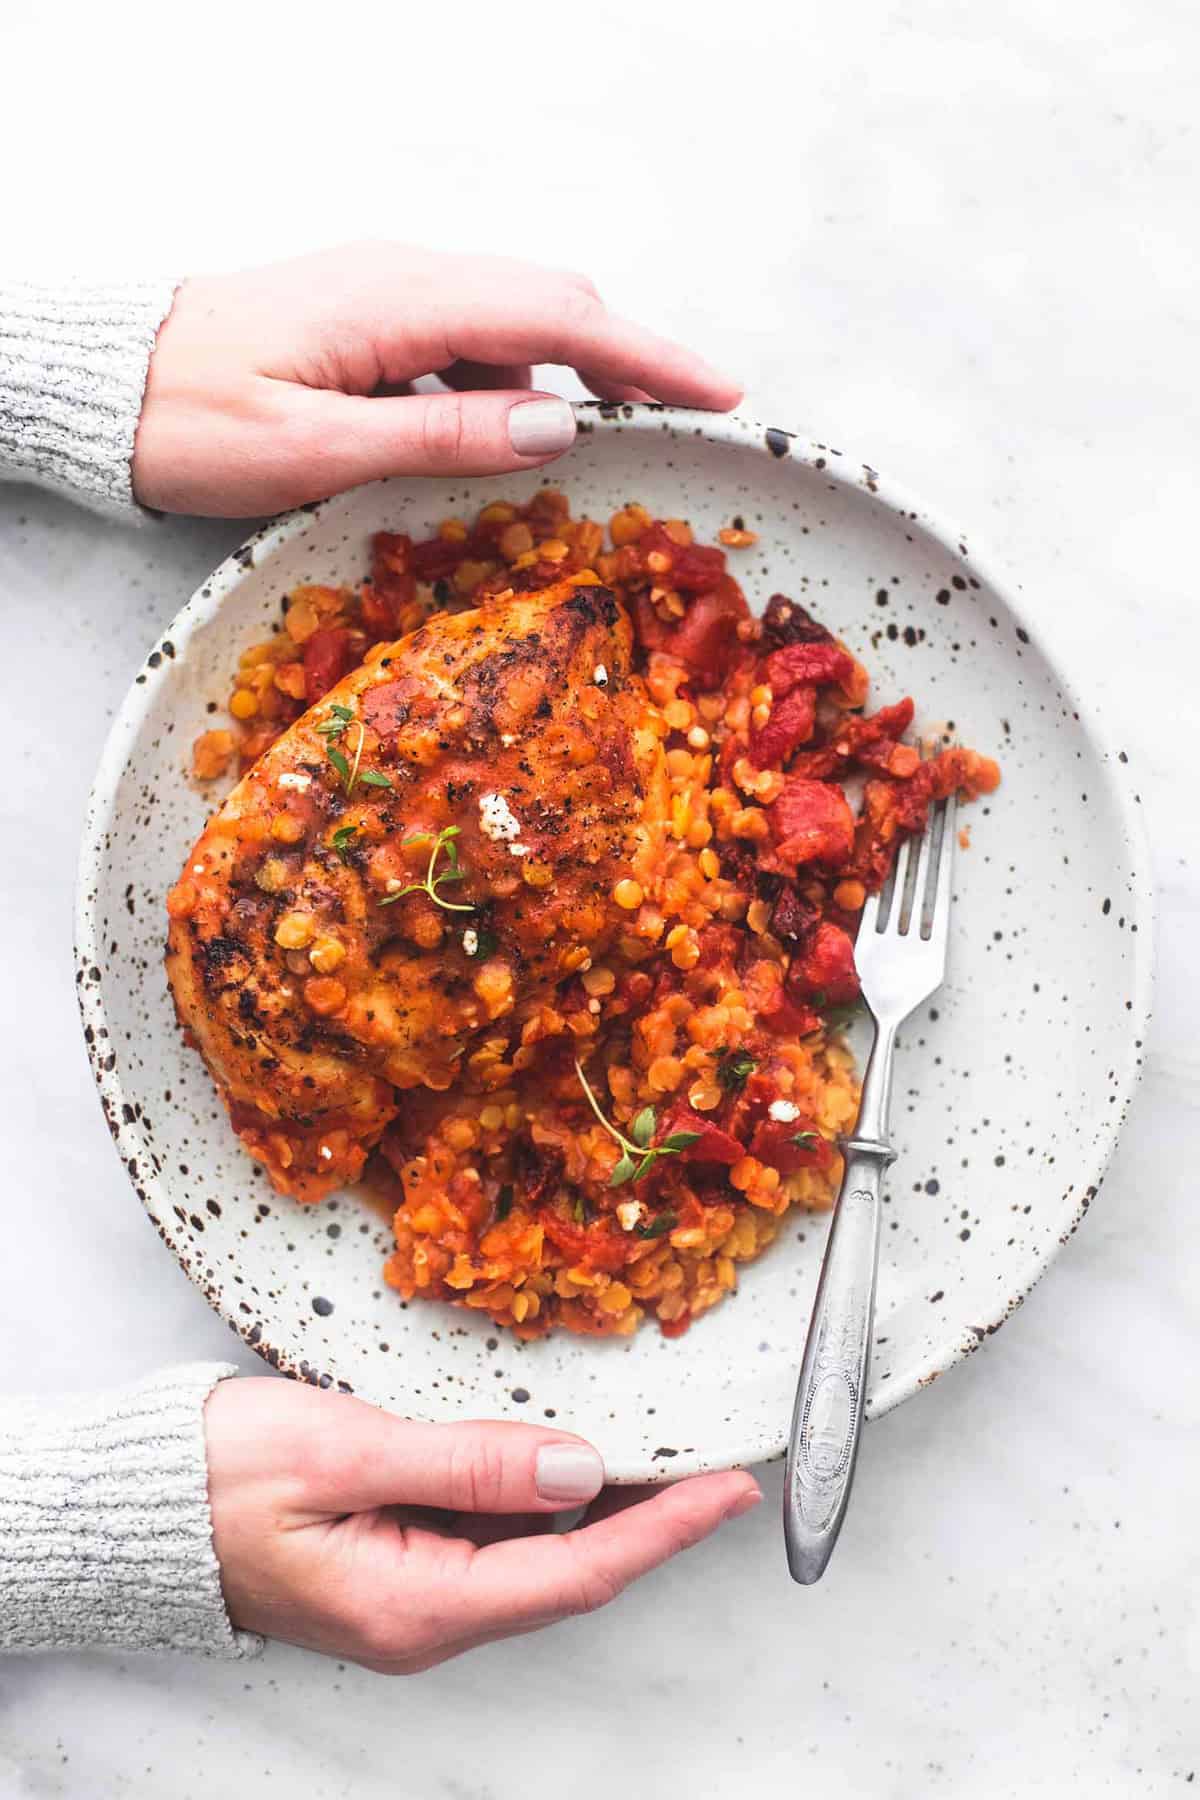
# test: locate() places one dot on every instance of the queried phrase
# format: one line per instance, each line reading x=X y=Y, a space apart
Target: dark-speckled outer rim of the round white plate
x=735 y=431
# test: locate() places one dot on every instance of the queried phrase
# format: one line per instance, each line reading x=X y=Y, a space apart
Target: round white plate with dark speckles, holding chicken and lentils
x=1010 y=1090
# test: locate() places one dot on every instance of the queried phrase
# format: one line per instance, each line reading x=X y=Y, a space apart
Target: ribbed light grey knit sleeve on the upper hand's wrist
x=73 y=375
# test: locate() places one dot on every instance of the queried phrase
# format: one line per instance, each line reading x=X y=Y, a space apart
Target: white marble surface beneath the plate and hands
x=963 y=244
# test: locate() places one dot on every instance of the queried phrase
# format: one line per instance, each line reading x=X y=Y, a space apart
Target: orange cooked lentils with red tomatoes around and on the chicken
x=703 y=991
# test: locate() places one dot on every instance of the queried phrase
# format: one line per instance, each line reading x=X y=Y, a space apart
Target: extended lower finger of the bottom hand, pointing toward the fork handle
x=537 y=1581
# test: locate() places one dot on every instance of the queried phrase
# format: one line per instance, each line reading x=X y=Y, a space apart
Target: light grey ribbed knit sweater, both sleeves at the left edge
x=105 y=1527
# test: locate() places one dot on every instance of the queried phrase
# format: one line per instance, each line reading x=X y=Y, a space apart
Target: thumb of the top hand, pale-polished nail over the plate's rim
x=436 y=435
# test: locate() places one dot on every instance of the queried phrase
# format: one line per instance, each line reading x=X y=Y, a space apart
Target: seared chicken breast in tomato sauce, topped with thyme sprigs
x=411 y=868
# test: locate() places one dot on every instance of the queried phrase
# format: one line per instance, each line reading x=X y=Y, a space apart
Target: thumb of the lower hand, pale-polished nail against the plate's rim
x=483 y=1466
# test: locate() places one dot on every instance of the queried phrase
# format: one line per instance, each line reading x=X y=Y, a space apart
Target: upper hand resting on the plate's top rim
x=287 y=384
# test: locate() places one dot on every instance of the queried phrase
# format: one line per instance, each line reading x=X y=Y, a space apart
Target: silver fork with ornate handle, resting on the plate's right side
x=902 y=960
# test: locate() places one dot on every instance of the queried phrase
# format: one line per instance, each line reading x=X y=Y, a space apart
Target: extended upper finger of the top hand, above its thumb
x=569 y=327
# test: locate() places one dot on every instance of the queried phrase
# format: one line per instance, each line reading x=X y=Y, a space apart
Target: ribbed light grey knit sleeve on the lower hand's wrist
x=105 y=1527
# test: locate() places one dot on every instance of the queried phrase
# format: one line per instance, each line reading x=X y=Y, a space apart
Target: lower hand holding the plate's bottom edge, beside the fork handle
x=321 y=1522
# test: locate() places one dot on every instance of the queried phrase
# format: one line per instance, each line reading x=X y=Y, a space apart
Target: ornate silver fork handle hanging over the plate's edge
x=834 y=1376
